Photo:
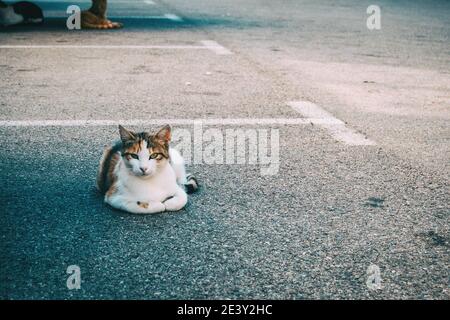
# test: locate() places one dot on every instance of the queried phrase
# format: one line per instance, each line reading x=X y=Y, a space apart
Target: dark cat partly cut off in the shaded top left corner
x=22 y=12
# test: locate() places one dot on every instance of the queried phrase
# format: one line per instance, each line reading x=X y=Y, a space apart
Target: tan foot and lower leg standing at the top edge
x=95 y=17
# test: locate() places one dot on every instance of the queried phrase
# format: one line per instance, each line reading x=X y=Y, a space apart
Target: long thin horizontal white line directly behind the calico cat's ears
x=203 y=121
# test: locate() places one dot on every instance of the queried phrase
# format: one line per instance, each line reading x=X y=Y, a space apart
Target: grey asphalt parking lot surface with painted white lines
x=362 y=118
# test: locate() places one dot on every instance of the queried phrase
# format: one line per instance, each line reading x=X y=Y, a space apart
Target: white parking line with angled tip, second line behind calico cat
x=205 y=45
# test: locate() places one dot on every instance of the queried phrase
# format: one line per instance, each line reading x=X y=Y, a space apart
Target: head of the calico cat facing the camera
x=144 y=153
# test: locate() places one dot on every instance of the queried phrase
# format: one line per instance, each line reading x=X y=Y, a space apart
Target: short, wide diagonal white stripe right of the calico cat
x=335 y=127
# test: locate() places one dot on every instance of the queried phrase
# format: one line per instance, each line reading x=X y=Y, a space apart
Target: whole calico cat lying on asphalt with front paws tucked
x=141 y=174
